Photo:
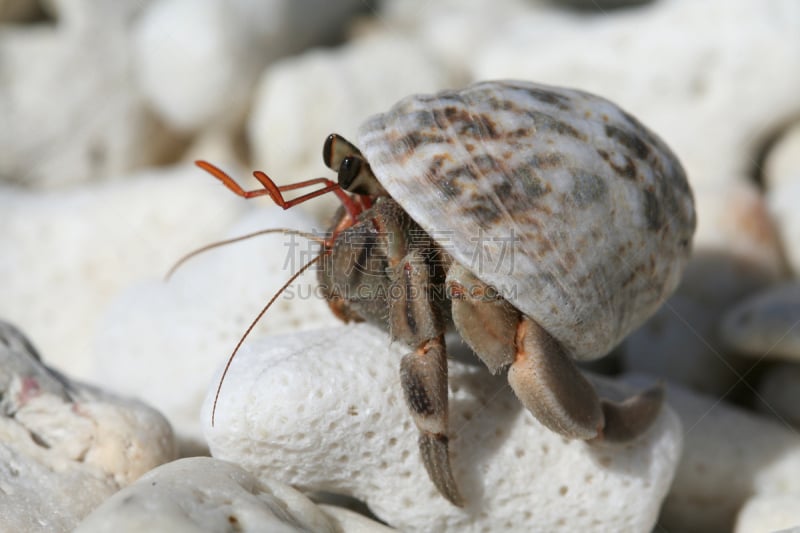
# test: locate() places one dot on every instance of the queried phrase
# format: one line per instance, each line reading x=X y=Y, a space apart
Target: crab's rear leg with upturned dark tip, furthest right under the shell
x=541 y=372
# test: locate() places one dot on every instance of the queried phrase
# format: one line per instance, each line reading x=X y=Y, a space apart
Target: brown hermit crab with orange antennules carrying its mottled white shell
x=542 y=223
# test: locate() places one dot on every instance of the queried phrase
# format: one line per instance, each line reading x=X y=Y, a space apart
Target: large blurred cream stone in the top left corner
x=70 y=113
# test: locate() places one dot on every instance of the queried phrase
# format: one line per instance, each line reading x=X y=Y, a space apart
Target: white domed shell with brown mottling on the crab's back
x=572 y=209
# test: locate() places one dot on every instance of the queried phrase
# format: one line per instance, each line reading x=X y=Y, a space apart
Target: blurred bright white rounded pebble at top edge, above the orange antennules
x=193 y=67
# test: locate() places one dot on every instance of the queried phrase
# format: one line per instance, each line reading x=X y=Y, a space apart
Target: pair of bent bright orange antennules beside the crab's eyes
x=274 y=191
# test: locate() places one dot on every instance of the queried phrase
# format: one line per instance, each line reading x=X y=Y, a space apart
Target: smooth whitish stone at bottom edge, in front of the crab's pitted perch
x=204 y=494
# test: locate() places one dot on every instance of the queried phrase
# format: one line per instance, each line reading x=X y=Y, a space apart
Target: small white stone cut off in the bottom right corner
x=765 y=513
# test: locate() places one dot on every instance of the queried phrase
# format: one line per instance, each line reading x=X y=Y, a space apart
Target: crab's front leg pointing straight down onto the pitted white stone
x=415 y=320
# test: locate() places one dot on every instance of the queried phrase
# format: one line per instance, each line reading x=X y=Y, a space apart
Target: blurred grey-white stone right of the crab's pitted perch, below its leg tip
x=729 y=455
